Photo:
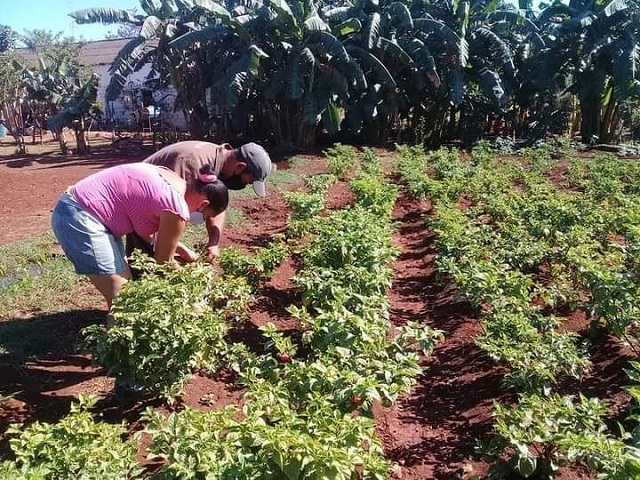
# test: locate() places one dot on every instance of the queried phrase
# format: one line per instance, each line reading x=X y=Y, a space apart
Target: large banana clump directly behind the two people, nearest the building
x=279 y=71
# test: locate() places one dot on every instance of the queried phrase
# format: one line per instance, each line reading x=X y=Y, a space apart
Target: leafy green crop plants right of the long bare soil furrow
x=527 y=240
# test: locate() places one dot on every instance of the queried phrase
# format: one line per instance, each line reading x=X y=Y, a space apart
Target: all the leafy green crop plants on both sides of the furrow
x=527 y=240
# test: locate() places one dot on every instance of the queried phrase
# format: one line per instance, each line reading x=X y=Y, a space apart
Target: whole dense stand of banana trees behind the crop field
x=431 y=72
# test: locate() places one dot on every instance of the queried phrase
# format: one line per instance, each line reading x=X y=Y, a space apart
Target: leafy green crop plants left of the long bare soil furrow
x=306 y=411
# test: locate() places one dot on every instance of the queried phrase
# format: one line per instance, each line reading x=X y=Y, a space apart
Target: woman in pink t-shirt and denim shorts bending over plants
x=92 y=216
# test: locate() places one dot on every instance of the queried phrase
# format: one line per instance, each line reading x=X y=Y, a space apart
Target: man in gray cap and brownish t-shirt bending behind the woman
x=236 y=167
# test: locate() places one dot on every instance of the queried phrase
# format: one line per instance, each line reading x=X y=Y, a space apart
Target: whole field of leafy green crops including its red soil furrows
x=391 y=315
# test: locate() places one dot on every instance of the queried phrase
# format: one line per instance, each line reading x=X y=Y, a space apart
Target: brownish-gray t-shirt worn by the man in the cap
x=186 y=158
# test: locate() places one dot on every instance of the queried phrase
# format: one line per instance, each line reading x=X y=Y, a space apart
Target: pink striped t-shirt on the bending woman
x=129 y=198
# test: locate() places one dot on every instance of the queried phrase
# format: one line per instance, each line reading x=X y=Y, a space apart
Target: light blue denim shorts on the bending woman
x=90 y=246
